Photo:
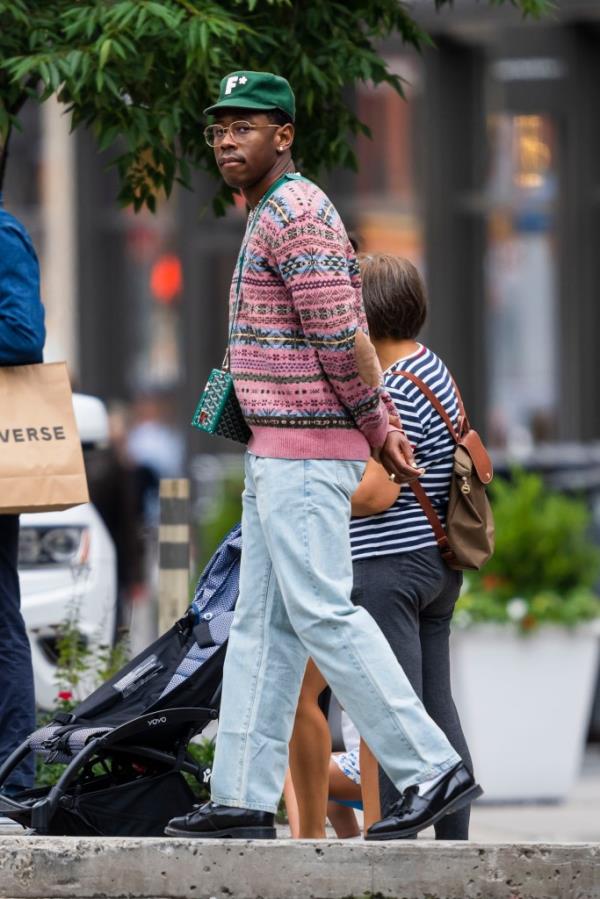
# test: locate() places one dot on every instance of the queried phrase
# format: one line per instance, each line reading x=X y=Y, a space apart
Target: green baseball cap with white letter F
x=255 y=90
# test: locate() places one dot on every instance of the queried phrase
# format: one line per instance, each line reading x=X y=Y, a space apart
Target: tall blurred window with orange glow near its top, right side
x=521 y=281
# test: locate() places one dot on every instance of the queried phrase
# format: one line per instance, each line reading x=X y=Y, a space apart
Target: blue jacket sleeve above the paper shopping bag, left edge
x=22 y=331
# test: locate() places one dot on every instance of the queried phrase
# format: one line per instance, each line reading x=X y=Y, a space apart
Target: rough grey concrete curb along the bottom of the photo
x=88 y=868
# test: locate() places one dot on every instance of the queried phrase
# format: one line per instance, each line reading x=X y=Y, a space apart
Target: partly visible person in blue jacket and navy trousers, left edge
x=22 y=335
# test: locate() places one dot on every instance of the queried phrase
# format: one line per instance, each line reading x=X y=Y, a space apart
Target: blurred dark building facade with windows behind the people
x=487 y=175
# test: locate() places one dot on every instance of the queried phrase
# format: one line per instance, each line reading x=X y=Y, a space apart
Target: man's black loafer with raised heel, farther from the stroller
x=413 y=813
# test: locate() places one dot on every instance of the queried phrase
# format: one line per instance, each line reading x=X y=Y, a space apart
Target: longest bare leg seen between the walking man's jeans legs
x=310 y=751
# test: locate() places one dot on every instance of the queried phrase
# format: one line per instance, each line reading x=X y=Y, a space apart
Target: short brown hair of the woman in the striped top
x=394 y=297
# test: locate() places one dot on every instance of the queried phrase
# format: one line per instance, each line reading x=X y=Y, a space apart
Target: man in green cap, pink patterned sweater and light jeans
x=305 y=377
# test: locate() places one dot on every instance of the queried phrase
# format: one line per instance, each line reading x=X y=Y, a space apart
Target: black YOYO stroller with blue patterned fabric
x=126 y=745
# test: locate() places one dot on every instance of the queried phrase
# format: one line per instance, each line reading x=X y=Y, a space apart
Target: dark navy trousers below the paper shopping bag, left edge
x=17 y=702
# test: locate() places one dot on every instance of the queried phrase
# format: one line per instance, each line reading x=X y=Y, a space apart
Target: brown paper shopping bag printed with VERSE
x=41 y=461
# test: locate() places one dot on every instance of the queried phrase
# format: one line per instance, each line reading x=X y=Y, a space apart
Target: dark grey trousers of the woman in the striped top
x=411 y=596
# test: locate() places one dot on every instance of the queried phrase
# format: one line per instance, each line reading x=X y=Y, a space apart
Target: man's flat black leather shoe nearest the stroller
x=211 y=821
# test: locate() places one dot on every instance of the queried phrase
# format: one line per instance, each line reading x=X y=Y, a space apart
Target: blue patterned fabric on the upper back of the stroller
x=214 y=600
